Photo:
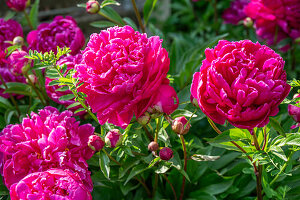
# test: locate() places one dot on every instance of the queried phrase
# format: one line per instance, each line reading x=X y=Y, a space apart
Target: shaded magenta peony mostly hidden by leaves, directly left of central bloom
x=70 y=61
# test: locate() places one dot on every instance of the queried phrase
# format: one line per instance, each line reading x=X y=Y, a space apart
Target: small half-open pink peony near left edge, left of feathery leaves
x=18 y=61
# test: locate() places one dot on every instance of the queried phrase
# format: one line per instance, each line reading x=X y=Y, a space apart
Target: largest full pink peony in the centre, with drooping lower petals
x=122 y=71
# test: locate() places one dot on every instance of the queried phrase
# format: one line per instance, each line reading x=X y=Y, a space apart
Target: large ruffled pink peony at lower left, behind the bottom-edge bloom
x=46 y=140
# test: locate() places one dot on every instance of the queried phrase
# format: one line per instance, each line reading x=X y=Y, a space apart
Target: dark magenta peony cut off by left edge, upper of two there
x=8 y=31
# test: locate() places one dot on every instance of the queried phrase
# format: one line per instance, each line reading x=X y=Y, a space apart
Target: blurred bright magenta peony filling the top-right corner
x=275 y=20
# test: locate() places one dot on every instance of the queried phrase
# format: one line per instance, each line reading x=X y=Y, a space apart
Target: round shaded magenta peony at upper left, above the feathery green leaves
x=60 y=32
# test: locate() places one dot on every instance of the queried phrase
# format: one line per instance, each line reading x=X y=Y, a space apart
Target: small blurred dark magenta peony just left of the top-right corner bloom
x=235 y=13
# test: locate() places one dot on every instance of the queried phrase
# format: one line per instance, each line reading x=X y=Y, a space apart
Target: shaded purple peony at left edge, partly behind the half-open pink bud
x=6 y=71
